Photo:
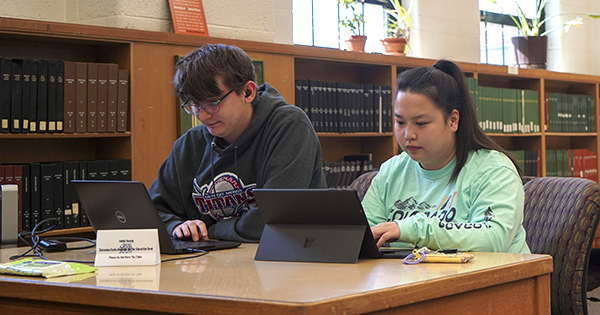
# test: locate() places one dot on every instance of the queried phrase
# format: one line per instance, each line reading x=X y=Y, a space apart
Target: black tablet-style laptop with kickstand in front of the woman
x=316 y=225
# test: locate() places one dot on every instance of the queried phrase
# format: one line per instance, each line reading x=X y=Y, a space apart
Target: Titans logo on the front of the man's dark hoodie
x=224 y=197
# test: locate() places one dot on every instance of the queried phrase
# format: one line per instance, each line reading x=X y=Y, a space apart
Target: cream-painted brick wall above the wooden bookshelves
x=441 y=29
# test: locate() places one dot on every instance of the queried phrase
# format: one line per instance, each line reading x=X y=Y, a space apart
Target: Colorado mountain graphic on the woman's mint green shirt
x=444 y=212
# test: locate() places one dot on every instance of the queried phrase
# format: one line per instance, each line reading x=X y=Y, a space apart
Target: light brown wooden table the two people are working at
x=232 y=282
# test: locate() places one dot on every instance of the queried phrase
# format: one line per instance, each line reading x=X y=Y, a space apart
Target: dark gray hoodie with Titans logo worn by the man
x=279 y=149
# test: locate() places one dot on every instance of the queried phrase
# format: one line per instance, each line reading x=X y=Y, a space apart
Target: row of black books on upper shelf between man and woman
x=345 y=107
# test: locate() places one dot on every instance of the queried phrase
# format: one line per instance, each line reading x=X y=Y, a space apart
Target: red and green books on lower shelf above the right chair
x=572 y=163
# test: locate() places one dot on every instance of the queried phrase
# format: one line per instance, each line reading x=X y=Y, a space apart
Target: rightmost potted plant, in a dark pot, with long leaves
x=531 y=47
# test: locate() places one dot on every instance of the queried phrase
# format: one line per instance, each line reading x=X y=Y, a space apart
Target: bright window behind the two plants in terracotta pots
x=316 y=23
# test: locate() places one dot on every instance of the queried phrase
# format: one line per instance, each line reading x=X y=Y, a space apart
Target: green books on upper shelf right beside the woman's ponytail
x=505 y=110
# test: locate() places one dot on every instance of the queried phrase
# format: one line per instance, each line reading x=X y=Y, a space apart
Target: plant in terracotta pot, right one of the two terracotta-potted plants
x=398 y=29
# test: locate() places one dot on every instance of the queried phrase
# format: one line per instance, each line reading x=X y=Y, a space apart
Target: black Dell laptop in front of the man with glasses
x=127 y=205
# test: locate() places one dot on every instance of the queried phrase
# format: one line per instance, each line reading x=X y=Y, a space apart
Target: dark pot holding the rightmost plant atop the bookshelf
x=530 y=51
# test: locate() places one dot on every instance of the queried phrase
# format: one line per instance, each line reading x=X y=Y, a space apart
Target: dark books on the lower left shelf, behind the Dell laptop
x=45 y=190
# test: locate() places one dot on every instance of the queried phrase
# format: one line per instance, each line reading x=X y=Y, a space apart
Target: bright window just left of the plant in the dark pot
x=496 y=28
